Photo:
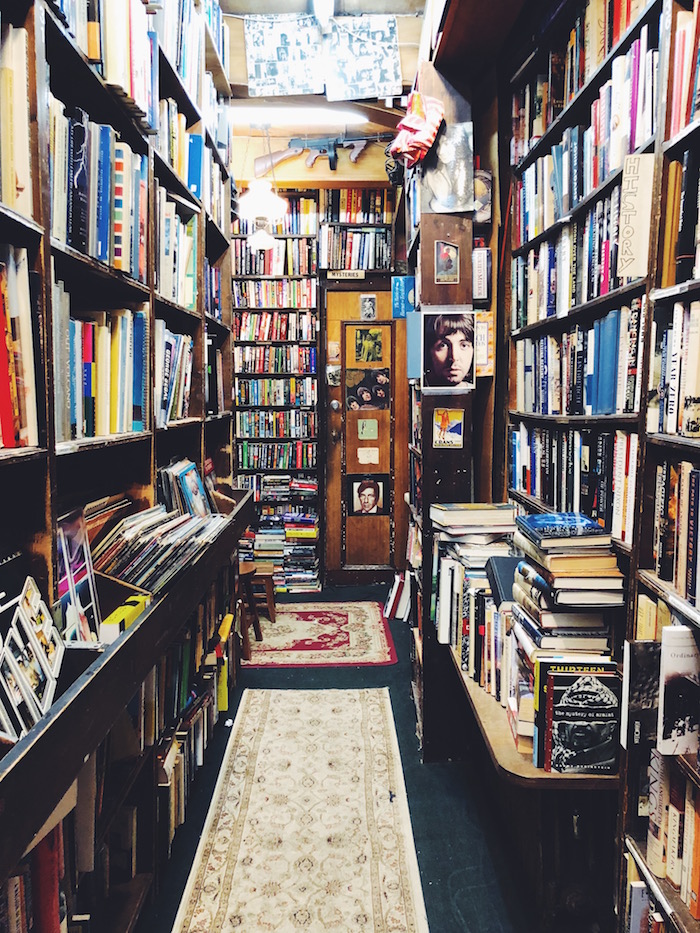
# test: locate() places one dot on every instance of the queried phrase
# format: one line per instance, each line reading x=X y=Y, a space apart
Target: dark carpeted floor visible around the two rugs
x=466 y=885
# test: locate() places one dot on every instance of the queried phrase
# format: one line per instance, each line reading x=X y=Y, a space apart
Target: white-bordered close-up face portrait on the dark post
x=448 y=349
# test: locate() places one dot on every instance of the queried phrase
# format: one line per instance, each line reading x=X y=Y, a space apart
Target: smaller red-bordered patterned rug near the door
x=324 y=635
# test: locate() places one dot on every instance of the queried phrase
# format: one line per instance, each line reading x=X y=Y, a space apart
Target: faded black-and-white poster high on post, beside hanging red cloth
x=448 y=171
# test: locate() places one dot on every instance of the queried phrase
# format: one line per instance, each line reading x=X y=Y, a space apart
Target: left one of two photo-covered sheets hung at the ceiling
x=282 y=54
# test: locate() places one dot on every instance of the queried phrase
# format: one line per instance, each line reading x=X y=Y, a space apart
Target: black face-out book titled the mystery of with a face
x=582 y=722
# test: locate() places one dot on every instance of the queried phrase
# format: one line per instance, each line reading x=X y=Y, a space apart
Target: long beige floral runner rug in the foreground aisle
x=309 y=827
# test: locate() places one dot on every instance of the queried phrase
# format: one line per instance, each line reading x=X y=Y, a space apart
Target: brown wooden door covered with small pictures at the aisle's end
x=366 y=437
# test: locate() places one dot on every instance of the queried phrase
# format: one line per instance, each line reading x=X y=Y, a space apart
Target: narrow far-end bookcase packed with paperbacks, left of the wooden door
x=276 y=392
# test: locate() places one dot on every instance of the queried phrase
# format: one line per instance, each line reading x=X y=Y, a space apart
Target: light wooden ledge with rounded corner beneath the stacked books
x=515 y=767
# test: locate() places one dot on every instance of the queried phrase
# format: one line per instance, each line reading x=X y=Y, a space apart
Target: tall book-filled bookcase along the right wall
x=603 y=389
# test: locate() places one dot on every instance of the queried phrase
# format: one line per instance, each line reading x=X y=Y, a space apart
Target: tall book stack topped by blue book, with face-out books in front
x=562 y=591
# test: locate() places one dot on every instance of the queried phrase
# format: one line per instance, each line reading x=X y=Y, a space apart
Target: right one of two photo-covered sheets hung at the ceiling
x=362 y=58
